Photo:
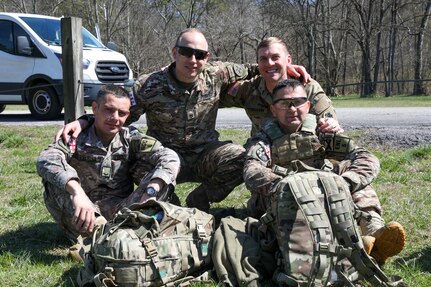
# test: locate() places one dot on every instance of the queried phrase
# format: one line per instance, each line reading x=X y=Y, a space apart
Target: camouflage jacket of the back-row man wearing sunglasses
x=184 y=119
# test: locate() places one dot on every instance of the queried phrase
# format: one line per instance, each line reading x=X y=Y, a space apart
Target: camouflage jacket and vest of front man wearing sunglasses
x=271 y=150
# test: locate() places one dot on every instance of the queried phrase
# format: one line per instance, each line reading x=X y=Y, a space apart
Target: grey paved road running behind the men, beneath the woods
x=350 y=118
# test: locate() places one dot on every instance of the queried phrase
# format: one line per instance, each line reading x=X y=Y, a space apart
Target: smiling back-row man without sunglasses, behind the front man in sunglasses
x=254 y=95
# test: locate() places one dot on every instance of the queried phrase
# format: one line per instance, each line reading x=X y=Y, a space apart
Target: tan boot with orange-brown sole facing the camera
x=390 y=240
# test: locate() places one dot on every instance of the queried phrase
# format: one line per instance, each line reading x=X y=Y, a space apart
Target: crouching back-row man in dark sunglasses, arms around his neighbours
x=181 y=104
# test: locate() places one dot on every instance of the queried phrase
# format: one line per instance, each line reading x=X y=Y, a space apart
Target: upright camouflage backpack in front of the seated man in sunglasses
x=313 y=218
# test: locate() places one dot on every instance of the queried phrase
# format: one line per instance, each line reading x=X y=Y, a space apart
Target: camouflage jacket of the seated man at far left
x=107 y=171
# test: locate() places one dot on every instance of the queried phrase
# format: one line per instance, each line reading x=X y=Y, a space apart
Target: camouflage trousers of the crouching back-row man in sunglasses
x=218 y=167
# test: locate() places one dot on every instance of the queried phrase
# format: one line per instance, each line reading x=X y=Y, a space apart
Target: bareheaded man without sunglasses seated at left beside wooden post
x=96 y=176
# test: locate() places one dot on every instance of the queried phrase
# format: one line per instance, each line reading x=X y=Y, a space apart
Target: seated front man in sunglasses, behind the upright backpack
x=291 y=136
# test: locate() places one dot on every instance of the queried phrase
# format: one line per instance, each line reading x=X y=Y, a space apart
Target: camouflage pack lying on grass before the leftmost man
x=150 y=244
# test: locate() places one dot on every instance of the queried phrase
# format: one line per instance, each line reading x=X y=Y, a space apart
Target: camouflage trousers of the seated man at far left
x=59 y=205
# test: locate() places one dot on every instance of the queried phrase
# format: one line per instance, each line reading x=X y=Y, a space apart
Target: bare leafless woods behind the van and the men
x=350 y=46
